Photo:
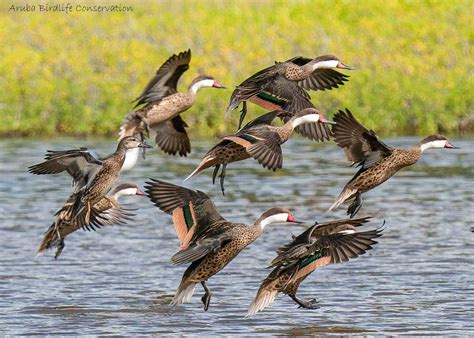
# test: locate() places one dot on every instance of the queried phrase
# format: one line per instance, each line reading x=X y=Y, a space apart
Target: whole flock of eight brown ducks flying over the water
x=208 y=242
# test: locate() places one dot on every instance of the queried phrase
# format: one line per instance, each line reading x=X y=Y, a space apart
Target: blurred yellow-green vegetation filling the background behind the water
x=76 y=73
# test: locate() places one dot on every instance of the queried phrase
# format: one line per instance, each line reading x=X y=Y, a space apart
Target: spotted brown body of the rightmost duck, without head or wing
x=385 y=169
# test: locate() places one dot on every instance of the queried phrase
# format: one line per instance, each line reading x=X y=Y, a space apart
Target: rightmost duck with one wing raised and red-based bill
x=378 y=161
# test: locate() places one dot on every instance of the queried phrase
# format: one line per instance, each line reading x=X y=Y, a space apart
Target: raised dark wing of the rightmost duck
x=360 y=145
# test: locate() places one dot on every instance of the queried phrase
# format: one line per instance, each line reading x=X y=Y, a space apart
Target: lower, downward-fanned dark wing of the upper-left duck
x=171 y=136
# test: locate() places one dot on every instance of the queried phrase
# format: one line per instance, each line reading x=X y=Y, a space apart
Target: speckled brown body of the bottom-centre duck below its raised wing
x=214 y=262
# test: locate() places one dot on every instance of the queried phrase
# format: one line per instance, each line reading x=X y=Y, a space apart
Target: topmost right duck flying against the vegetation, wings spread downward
x=284 y=85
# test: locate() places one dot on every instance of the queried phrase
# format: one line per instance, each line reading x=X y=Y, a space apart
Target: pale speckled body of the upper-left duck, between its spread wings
x=167 y=108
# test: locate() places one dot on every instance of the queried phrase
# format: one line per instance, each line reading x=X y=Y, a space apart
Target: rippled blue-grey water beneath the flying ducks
x=419 y=279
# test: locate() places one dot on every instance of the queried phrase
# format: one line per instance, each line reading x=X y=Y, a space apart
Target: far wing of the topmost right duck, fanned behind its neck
x=320 y=79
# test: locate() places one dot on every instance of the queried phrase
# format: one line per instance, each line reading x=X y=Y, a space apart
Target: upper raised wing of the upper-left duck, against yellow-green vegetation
x=166 y=79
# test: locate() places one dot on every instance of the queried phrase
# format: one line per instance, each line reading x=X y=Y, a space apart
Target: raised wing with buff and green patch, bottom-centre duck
x=193 y=211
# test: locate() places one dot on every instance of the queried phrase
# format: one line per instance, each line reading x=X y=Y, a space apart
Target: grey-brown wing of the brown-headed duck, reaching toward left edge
x=79 y=163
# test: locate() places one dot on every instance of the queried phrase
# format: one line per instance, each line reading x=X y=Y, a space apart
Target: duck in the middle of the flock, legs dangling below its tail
x=258 y=139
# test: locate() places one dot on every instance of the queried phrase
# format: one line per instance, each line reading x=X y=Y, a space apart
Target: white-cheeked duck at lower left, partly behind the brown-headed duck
x=105 y=212
